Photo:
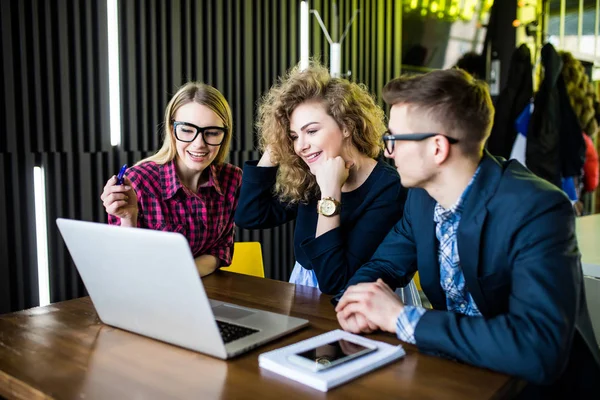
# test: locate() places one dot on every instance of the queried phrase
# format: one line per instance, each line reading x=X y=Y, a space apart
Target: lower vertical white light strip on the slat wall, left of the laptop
x=41 y=235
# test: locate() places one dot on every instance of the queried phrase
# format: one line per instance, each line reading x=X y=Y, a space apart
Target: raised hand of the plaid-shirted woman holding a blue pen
x=120 y=201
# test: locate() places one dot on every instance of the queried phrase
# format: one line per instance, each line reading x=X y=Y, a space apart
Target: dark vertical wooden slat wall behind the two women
x=54 y=79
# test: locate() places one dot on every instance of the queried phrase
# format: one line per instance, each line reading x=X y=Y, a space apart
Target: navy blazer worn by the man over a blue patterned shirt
x=519 y=255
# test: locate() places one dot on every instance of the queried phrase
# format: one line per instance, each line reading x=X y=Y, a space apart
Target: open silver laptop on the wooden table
x=146 y=282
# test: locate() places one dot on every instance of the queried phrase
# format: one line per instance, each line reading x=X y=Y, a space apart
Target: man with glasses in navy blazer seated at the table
x=494 y=245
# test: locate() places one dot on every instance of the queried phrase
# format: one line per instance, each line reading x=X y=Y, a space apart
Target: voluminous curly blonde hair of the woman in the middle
x=348 y=103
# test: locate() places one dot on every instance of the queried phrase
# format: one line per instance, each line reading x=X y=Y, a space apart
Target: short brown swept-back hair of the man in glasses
x=451 y=98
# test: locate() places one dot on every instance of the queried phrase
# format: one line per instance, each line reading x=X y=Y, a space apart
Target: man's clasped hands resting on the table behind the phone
x=367 y=306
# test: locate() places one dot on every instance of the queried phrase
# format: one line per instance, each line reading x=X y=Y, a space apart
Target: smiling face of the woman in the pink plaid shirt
x=194 y=157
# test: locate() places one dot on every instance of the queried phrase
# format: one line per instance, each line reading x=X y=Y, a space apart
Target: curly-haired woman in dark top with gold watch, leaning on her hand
x=321 y=140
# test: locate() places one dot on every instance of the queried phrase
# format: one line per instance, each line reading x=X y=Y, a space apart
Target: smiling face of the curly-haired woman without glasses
x=316 y=135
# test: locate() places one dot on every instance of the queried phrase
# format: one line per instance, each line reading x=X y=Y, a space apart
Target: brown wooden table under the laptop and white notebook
x=63 y=351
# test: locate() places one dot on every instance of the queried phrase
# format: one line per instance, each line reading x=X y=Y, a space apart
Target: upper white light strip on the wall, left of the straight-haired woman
x=113 y=72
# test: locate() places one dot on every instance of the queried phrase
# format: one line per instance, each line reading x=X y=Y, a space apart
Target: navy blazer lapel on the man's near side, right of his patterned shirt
x=472 y=223
